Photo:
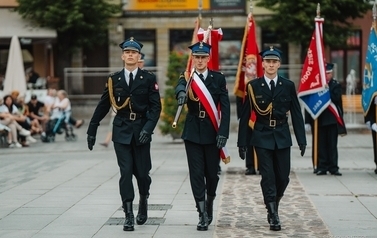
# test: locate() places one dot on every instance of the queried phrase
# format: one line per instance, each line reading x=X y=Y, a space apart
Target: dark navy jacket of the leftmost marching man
x=145 y=102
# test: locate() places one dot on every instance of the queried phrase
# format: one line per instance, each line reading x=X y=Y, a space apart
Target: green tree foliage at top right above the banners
x=293 y=20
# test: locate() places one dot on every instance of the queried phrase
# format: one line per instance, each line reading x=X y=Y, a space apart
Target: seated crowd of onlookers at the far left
x=23 y=123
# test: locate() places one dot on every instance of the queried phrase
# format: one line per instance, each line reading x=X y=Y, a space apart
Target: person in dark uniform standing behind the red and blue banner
x=329 y=128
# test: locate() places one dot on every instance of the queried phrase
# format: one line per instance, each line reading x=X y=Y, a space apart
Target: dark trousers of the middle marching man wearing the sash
x=203 y=162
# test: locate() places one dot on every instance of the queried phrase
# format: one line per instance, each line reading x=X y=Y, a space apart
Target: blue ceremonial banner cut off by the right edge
x=370 y=71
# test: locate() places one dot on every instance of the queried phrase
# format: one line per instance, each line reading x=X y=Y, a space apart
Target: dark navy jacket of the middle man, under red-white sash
x=200 y=130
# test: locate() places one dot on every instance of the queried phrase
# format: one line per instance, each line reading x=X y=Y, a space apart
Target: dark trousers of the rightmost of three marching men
x=274 y=166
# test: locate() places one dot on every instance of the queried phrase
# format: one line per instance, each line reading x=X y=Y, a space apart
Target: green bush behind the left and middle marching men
x=177 y=64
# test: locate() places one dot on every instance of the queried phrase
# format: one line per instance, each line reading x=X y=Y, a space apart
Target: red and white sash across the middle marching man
x=206 y=100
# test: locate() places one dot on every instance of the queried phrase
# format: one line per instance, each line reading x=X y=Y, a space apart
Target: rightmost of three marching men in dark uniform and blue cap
x=272 y=98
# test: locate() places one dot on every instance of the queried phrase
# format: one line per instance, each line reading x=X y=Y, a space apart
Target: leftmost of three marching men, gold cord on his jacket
x=134 y=94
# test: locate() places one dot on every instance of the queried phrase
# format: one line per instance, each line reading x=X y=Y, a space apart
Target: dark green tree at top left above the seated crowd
x=78 y=23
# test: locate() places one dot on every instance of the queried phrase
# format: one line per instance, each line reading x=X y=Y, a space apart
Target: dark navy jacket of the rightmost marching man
x=284 y=103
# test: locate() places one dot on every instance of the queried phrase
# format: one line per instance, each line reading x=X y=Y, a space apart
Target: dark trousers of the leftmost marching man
x=133 y=160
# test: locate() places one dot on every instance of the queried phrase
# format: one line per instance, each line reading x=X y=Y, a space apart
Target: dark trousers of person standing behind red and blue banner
x=328 y=148
